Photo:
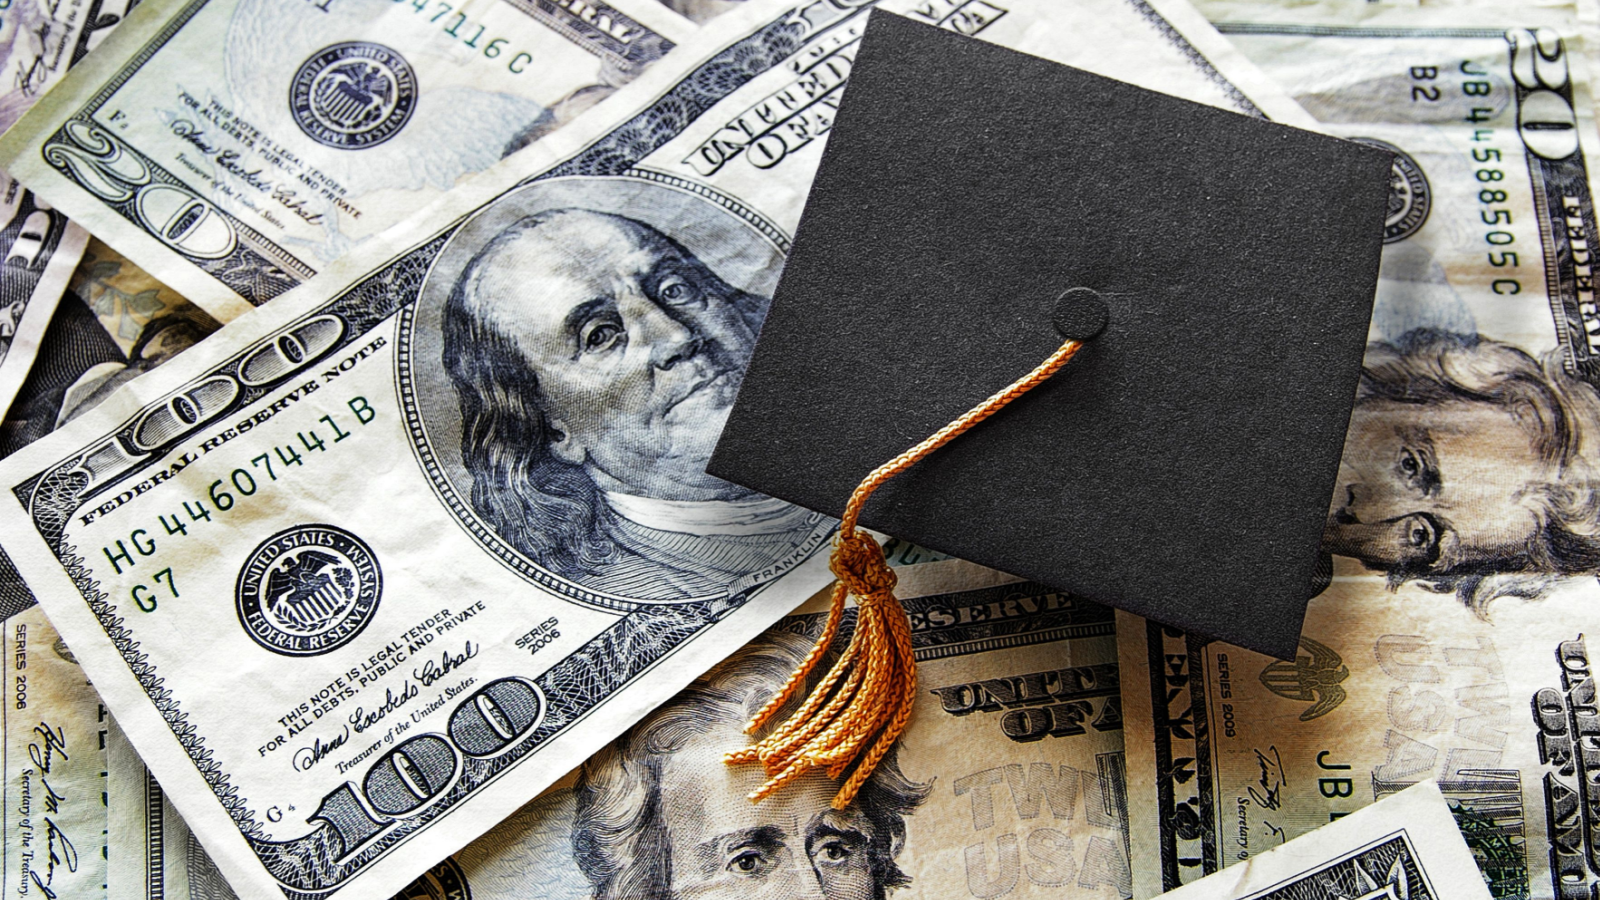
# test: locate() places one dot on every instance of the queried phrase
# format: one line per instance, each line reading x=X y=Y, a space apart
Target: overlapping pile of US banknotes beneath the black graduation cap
x=359 y=369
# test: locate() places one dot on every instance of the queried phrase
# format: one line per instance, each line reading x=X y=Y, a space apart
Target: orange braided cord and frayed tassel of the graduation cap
x=865 y=702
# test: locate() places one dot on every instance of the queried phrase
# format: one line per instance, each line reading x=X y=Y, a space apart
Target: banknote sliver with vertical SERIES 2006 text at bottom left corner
x=54 y=818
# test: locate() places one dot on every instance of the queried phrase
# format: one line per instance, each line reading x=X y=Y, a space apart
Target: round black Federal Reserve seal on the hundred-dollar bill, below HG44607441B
x=308 y=590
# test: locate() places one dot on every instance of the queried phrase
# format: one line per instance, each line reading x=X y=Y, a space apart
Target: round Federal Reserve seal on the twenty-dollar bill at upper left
x=353 y=95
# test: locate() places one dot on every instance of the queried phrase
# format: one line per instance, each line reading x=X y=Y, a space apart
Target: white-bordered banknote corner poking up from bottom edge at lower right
x=1404 y=846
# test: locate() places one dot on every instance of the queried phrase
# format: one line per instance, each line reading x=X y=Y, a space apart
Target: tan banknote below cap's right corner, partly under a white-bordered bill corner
x=1231 y=753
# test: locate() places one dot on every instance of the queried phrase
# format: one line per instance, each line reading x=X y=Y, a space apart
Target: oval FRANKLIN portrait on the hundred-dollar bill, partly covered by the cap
x=593 y=337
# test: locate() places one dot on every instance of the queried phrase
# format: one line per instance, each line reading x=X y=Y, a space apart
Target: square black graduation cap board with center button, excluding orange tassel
x=972 y=199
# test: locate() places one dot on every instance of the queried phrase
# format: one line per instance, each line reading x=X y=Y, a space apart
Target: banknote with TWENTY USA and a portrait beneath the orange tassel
x=1007 y=784
